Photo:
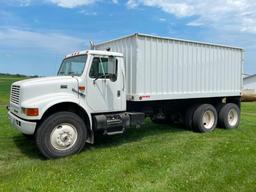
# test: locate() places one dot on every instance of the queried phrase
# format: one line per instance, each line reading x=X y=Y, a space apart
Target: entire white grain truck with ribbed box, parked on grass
x=118 y=83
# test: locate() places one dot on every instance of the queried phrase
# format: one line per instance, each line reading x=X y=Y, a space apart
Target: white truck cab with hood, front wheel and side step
x=63 y=111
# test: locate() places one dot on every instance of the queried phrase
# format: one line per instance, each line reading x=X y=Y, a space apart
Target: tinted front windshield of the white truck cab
x=73 y=66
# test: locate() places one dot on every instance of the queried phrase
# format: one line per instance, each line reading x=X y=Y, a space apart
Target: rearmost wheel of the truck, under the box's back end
x=229 y=116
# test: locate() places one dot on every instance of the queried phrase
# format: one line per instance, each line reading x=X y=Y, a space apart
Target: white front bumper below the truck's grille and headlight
x=25 y=127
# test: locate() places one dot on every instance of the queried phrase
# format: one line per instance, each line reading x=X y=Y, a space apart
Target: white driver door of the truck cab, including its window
x=104 y=85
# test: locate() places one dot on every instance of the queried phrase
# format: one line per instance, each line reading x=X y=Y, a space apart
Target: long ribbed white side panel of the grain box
x=172 y=69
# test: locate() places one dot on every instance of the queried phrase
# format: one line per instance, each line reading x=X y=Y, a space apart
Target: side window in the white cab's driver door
x=104 y=67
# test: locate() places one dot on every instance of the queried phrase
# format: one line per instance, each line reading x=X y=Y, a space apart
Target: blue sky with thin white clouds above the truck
x=35 y=35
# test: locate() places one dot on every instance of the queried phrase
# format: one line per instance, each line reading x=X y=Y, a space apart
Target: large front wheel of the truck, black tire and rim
x=61 y=134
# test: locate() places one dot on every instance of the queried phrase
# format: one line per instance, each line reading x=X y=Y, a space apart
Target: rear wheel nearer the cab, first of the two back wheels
x=205 y=118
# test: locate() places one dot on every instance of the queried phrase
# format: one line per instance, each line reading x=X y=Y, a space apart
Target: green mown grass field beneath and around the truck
x=152 y=158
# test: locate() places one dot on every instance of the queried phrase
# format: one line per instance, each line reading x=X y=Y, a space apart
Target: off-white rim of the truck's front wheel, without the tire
x=63 y=136
